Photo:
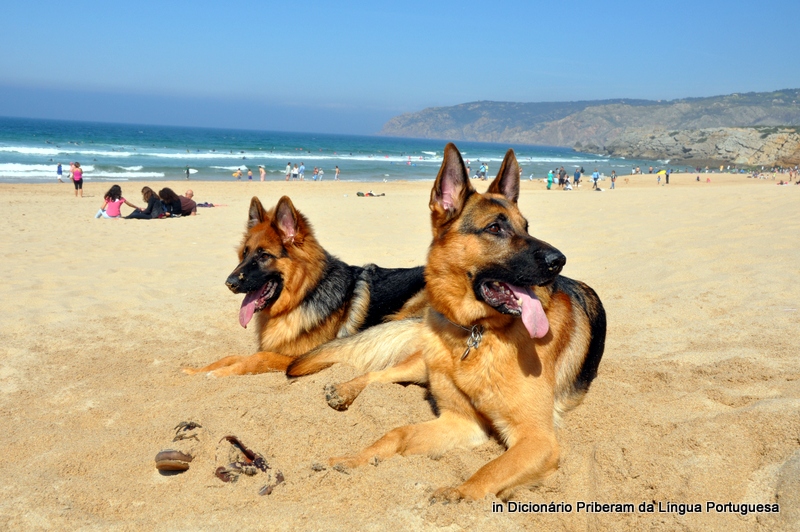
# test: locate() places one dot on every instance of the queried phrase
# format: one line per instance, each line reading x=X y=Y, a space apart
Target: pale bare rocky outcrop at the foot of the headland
x=739 y=146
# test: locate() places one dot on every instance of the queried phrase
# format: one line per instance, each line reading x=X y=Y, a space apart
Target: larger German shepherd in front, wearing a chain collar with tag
x=506 y=344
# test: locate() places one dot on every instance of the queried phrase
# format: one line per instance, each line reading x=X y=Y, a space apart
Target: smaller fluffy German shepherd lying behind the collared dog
x=301 y=296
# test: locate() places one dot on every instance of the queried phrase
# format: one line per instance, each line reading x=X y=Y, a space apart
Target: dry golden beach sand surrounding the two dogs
x=697 y=398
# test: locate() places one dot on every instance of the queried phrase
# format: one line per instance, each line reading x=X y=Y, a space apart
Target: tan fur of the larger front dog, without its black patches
x=510 y=385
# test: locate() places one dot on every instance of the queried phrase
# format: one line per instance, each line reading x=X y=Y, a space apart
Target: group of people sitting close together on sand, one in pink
x=164 y=204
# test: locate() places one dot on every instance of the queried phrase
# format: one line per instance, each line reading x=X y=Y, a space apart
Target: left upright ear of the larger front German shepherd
x=452 y=187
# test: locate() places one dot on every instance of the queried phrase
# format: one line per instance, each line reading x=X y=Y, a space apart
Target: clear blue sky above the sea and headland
x=347 y=67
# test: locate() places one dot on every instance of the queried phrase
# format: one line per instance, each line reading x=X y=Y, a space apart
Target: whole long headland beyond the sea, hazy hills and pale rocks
x=636 y=128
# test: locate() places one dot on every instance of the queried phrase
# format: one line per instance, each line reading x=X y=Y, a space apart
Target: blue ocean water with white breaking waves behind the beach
x=31 y=149
